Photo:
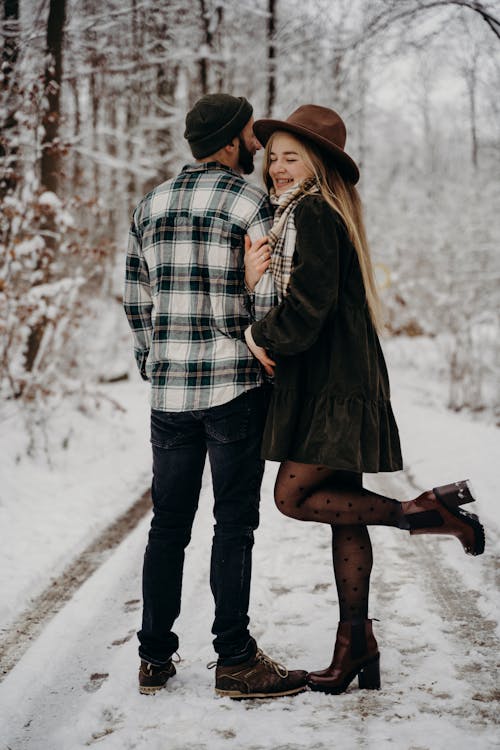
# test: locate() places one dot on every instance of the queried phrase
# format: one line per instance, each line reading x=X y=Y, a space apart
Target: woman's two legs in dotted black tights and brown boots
x=317 y=493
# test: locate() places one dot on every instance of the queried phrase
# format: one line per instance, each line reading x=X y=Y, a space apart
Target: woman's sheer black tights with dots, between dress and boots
x=316 y=493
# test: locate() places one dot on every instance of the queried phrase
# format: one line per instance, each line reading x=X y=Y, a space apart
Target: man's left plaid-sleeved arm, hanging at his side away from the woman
x=137 y=300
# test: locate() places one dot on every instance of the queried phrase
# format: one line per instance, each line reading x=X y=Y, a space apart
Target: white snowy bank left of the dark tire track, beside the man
x=98 y=465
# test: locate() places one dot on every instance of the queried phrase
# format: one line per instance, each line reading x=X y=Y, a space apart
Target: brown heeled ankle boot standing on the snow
x=356 y=653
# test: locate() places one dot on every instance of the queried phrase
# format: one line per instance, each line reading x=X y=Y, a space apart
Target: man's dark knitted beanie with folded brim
x=214 y=121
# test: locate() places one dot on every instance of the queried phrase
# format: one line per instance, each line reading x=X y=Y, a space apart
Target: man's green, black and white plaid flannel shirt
x=185 y=296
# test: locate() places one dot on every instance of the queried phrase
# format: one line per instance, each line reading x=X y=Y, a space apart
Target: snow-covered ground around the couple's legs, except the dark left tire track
x=76 y=685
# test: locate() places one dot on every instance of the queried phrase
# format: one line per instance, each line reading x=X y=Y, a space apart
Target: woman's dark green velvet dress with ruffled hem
x=330 y=402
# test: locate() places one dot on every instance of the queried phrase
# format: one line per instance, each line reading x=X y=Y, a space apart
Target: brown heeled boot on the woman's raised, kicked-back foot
x=439 y=512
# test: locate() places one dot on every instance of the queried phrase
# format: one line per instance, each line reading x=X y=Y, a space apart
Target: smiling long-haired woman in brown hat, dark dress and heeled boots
x=330 y=417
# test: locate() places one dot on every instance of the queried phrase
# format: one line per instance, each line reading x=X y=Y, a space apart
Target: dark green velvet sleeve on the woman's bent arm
x=294 y=325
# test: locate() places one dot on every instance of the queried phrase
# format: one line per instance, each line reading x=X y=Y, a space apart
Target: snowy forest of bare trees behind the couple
x=93 y=97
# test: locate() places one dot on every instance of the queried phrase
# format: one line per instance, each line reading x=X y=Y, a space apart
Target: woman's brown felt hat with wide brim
x=322 y=126
